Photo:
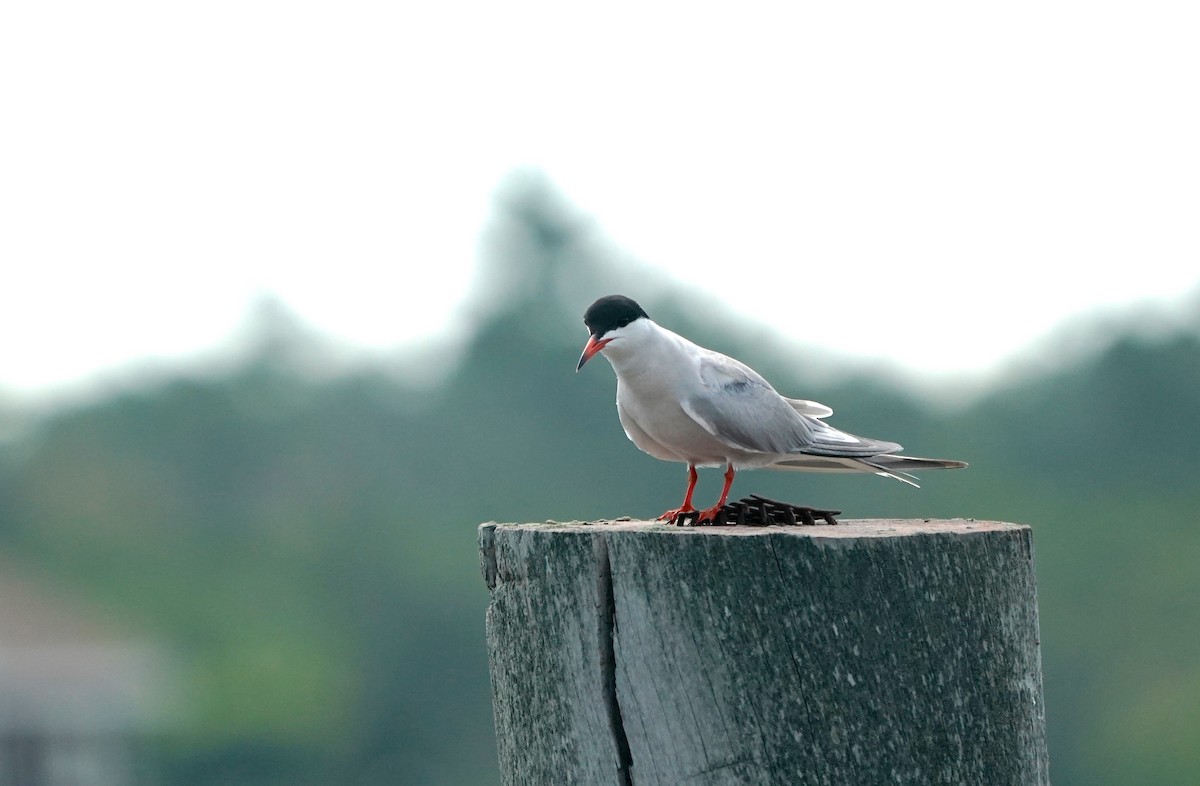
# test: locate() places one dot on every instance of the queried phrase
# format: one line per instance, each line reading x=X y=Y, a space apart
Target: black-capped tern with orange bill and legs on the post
x=679 y=401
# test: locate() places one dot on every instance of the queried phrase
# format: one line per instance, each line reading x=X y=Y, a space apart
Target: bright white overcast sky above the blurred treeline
x=987 y=171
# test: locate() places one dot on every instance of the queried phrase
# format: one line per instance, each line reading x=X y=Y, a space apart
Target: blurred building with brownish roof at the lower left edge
x=82 y=704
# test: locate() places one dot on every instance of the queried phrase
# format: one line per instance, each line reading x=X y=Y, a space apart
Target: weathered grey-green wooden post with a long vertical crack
x=874 y=652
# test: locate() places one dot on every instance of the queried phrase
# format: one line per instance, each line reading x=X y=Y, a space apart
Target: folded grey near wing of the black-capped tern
x=743 y=411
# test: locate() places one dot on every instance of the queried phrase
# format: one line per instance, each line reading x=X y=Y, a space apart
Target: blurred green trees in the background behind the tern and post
x=307 y=544
